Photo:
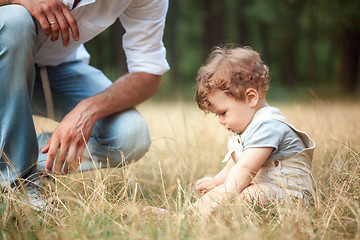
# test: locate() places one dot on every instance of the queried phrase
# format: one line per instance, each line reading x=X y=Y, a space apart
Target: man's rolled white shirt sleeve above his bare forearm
x=144 y=23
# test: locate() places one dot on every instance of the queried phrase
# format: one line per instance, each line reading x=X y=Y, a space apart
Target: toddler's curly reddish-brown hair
x=232 y=71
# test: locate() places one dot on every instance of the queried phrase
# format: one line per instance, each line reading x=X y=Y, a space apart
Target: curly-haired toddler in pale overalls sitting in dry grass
x=268 y=158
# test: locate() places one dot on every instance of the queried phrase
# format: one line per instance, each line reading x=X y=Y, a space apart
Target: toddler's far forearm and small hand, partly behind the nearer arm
x=205 y=184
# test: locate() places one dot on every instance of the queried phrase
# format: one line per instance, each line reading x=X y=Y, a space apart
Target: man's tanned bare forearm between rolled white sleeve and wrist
x=126 y=92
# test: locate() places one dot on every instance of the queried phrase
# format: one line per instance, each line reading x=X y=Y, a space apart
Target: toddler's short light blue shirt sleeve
x=269 y=133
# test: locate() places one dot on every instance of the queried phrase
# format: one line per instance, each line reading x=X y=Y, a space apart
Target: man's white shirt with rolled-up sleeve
x=143 y=20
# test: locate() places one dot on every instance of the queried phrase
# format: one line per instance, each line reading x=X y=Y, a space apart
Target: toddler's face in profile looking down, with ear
x=234 y=115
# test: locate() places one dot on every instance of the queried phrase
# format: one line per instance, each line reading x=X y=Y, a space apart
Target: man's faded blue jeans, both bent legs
x=123 y=136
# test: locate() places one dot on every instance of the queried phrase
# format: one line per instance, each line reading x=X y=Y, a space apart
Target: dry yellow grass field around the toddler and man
x=188 y=145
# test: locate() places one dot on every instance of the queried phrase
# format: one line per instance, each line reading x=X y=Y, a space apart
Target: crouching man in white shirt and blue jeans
x=41 y=49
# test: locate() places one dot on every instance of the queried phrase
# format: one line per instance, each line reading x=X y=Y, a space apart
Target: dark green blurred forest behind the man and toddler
x=311 y=46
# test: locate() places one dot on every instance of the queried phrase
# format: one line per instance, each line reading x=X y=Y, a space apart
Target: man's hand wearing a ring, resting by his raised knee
x=54 y=18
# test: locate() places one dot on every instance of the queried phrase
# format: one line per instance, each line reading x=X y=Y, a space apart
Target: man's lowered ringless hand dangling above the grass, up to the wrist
x=68 y=141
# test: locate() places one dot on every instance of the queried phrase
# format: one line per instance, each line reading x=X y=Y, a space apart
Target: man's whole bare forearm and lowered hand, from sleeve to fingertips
x=68 y=138
